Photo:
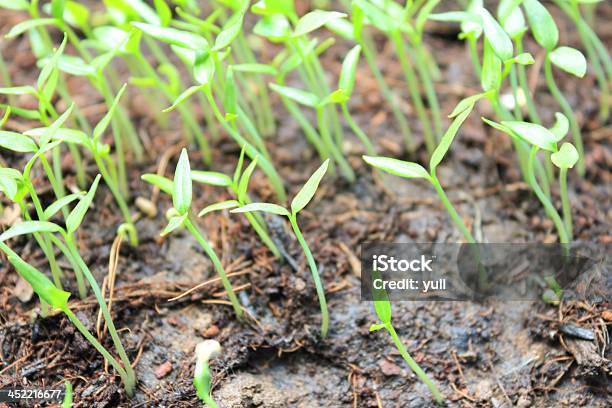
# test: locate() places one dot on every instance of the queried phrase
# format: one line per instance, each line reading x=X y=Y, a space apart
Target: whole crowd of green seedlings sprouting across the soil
x=233 y=92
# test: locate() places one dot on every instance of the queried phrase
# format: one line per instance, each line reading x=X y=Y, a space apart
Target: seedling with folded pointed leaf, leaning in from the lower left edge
x=58 y=299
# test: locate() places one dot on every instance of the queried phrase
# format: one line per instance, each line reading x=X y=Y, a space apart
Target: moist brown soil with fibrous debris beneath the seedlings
x=489 y=354
